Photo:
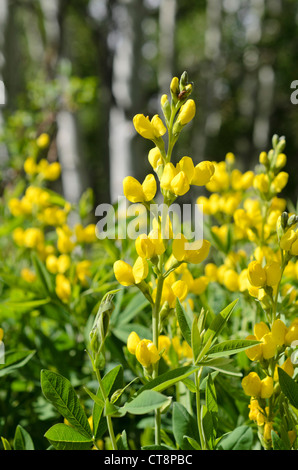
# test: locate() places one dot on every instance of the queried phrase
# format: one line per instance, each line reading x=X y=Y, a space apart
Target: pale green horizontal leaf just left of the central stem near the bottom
x=145 y=402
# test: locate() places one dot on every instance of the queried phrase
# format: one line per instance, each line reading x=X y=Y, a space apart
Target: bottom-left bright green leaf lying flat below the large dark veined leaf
x=63 y=437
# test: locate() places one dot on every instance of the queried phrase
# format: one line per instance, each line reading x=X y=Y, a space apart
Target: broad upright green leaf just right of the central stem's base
x=183 y=424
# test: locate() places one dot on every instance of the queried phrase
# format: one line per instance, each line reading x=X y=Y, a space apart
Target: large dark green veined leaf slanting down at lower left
x=59 y=391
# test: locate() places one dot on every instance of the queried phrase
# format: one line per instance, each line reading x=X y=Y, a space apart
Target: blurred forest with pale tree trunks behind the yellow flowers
x=81 y=69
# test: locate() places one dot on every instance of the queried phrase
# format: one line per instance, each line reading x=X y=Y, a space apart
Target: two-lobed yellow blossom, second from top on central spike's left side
x=134 y=191
